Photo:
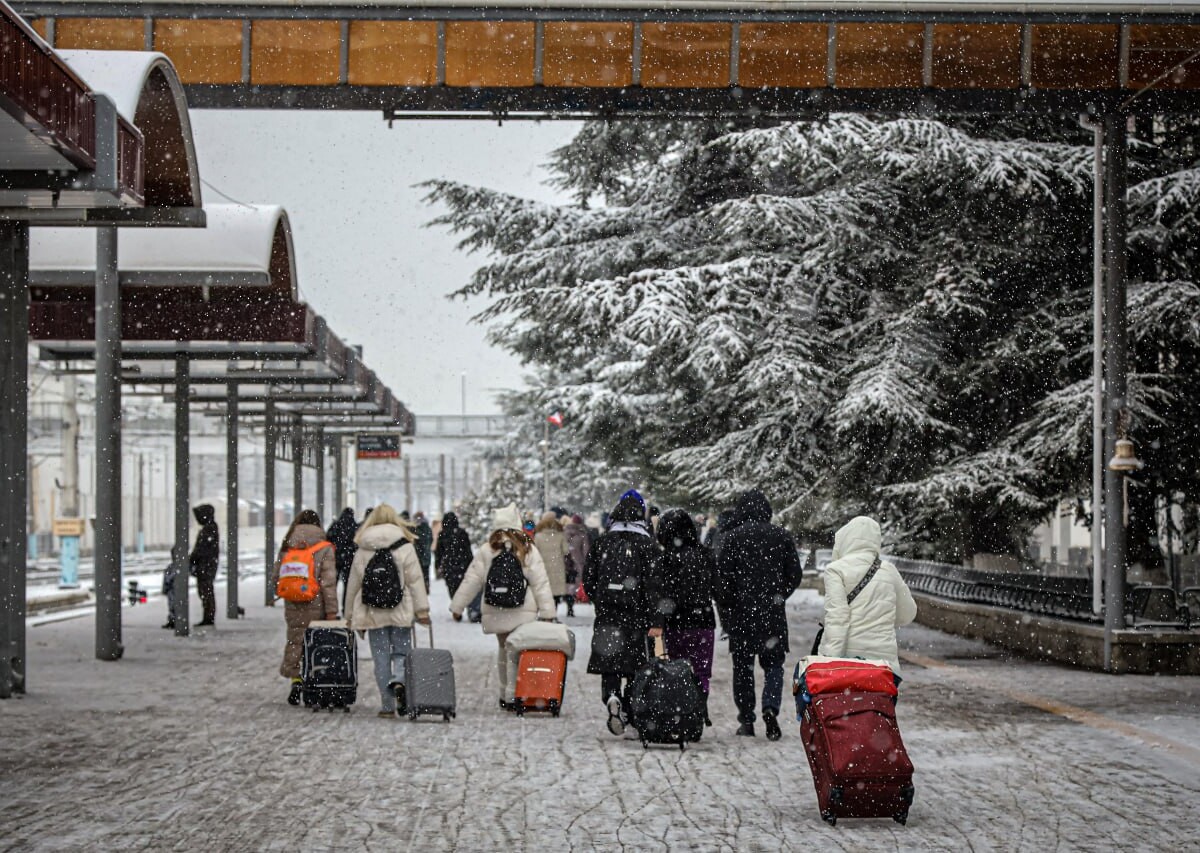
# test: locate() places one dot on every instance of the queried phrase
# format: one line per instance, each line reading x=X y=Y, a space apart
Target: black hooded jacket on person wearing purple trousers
x=683 y=588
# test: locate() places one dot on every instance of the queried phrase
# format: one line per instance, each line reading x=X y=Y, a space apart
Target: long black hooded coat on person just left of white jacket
x=758 y=568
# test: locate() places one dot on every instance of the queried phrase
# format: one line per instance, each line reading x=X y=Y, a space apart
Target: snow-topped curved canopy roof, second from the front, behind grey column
x=242 y=247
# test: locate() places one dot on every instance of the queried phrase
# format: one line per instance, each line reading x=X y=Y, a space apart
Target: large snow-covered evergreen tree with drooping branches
x=856 y=315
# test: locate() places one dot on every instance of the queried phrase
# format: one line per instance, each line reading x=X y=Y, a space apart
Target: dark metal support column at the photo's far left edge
x=14 y=472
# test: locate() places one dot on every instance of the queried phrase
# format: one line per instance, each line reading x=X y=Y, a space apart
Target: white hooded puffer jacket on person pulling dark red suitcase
x=867 y=628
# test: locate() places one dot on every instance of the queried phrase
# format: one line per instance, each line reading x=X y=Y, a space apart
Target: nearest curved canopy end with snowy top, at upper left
x=148 y=93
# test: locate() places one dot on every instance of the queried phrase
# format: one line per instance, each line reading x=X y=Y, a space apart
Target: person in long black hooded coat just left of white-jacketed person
x=758 y=569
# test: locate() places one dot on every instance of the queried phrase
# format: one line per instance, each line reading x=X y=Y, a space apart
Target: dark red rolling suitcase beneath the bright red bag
x=859 y=760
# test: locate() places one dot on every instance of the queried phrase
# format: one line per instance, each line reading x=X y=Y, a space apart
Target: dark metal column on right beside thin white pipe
x=1115 y=371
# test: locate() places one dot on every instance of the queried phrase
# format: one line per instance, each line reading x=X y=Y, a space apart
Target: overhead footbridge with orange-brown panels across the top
x=615 y=62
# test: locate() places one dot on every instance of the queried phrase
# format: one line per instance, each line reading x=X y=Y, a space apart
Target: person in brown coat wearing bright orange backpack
x=305 y=576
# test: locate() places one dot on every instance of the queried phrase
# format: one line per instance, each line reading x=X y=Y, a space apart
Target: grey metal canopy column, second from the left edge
x=109 y=449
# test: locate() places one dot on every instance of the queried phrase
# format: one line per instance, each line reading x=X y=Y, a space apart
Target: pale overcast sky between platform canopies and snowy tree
x=367 y=262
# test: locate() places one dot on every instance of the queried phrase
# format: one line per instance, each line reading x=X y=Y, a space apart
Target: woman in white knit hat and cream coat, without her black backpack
x=539 y=603
